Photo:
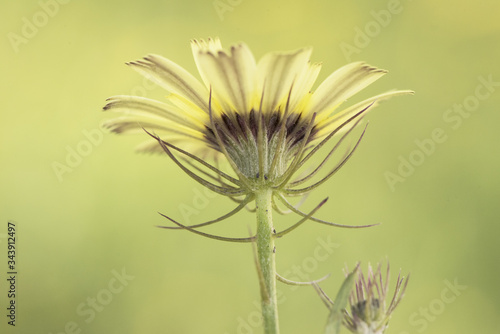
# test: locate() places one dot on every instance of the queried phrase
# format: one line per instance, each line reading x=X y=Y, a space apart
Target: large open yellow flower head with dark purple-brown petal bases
x=263 y=117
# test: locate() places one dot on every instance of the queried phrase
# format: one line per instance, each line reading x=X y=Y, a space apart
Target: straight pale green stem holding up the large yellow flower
x=266 y=260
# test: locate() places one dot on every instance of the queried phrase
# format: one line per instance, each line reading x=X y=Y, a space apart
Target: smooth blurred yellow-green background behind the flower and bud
x=93 y=221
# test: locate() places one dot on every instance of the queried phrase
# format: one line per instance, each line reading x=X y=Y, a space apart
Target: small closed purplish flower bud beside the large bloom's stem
x=370 y=313
